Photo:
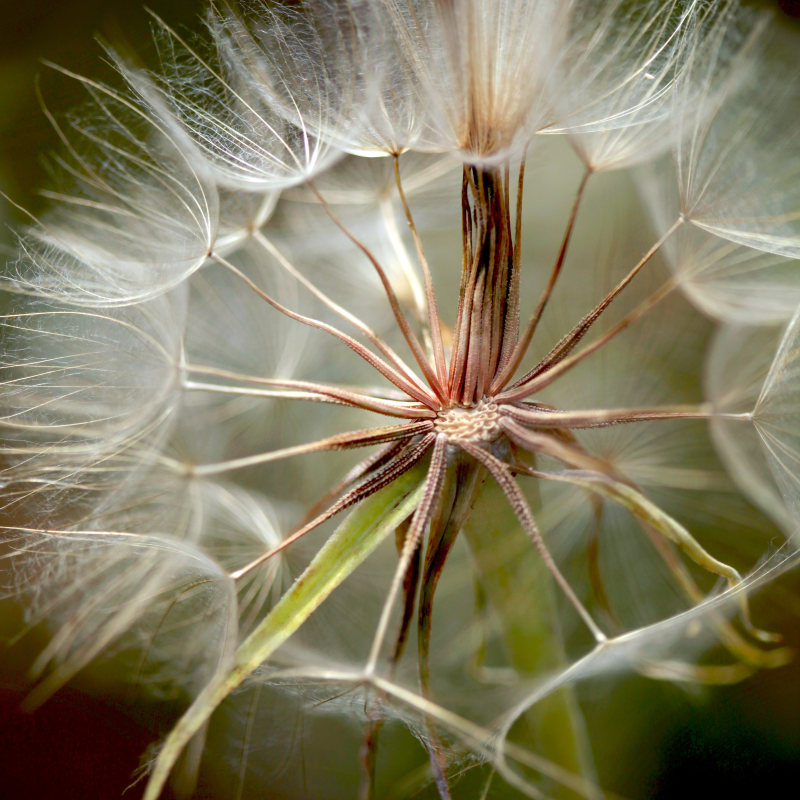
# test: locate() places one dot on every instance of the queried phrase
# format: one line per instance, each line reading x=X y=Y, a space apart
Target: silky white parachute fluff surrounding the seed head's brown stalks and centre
x=178 y=308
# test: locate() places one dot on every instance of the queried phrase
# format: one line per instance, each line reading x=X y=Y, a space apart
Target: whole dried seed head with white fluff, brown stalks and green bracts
x=325 y=217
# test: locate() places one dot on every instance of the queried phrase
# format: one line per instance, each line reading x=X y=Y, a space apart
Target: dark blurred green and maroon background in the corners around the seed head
x=734 y=741
